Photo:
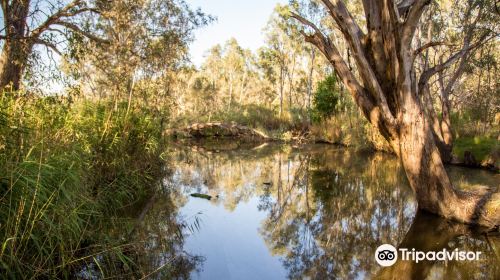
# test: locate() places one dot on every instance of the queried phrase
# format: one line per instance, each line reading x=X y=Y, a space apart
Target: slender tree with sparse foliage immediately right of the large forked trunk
x=463 y=27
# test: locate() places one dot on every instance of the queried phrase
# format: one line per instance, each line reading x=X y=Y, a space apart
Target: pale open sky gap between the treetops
x=241 y=19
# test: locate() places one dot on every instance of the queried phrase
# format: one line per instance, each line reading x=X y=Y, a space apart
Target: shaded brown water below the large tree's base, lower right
x=431 y=233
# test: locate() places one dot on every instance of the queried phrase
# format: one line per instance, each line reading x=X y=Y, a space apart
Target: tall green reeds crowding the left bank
x=64 y=168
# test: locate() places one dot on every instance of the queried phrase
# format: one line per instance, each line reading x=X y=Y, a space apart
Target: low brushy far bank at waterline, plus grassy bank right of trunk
x=479 y=152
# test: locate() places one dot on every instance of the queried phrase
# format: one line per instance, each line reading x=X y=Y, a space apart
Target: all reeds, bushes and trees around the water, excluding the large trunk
x=88 y=89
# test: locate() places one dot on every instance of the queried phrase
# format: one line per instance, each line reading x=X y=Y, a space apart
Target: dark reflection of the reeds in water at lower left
x=152 y=243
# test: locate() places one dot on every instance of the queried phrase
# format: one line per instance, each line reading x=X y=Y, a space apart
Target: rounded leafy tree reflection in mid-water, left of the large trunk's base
x=336 y=209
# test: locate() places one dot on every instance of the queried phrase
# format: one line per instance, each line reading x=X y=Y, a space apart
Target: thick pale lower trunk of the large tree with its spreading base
x=428 y=178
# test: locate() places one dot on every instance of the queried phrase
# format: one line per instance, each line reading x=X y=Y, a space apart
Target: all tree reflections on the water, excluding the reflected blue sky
x=328 y=209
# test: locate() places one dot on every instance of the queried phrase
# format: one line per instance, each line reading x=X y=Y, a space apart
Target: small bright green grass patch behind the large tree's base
x=479 y=146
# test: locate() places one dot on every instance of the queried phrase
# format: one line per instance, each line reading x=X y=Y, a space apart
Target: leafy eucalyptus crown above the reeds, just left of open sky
x=148 y=41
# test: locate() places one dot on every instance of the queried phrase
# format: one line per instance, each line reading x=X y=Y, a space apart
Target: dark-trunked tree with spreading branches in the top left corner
x=28 y=23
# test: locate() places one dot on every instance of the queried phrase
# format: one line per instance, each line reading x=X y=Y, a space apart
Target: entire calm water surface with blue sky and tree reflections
x=314 y=212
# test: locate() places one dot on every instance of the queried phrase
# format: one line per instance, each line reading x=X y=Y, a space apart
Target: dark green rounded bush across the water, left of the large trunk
x=326 y=99
